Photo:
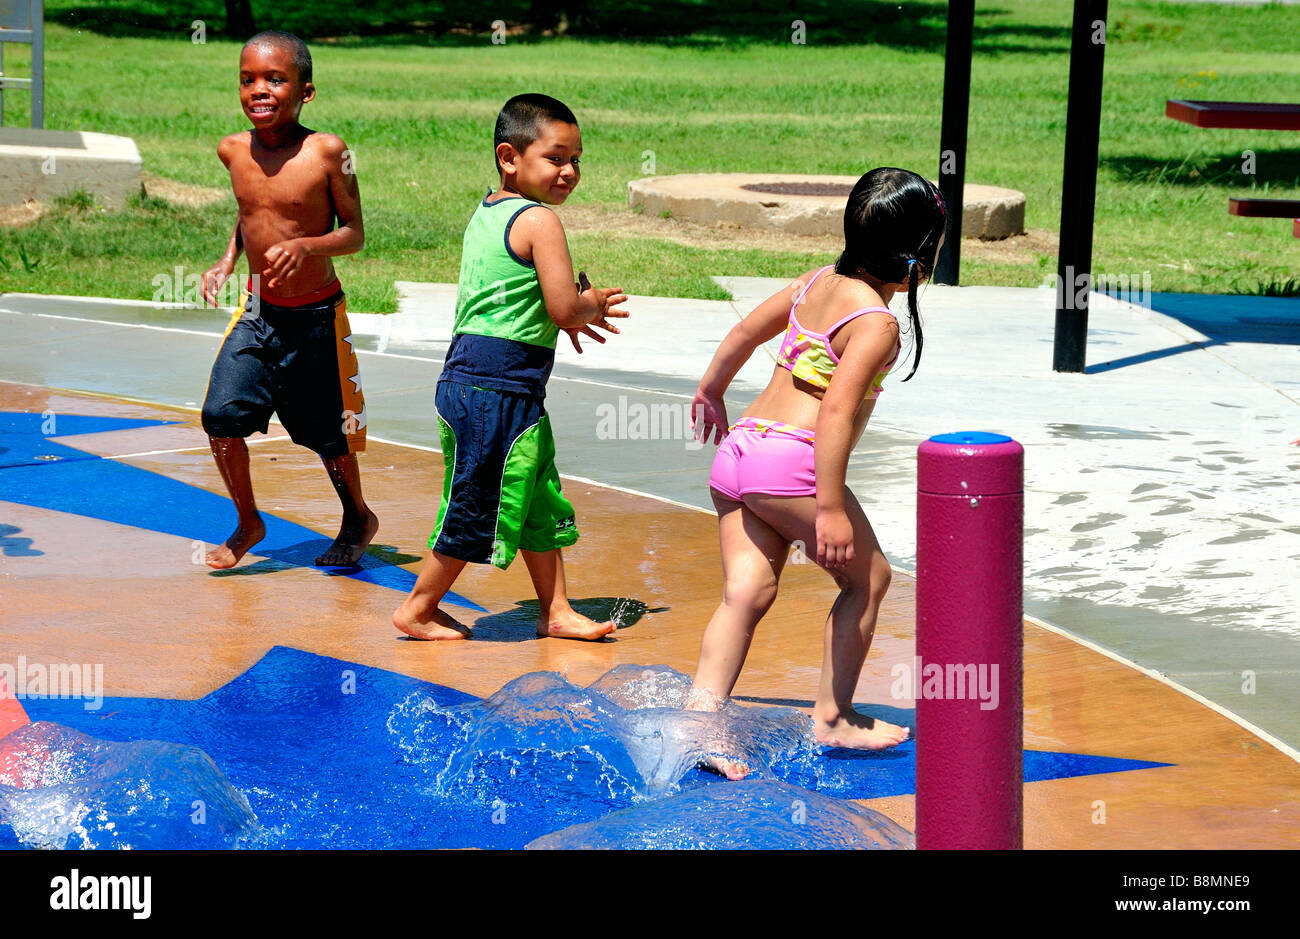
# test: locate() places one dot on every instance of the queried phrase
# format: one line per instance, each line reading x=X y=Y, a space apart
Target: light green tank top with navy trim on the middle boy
x=500 y=295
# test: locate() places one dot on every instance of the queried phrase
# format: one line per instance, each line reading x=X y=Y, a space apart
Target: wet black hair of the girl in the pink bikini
x=892 y=227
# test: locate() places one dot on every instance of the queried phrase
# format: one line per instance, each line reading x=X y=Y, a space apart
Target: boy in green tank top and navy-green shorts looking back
x=501 y=491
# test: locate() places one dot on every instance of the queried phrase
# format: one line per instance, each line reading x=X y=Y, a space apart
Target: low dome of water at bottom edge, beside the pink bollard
x=748 y=815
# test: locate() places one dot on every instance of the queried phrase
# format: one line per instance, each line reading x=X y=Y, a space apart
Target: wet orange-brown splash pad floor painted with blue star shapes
x=306 y=706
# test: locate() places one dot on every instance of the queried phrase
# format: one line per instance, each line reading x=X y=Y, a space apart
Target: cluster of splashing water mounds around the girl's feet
x=618 y=759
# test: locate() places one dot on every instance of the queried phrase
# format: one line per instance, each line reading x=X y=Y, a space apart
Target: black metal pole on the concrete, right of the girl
x=1080 y=185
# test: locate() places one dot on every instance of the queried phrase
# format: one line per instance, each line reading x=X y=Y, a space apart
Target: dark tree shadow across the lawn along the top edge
x=917 y=25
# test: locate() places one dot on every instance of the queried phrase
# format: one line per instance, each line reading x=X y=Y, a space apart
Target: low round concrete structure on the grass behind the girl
x=801 y=205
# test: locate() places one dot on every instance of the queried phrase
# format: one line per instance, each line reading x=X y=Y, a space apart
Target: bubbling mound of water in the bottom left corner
x=60 y=789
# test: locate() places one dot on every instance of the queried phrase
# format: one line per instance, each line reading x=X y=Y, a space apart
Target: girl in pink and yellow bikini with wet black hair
x=778 y=478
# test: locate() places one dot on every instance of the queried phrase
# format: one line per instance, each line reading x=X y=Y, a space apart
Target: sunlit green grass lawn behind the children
x=418 y=115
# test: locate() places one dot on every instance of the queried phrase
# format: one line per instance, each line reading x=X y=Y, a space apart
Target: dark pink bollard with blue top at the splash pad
x=968 y=676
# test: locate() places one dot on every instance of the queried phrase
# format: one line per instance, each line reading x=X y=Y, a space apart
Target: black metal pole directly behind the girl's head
x=952 y=137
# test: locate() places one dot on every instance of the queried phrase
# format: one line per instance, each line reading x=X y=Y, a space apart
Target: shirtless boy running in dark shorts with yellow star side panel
x=288 y=350
